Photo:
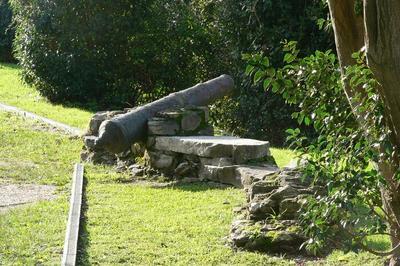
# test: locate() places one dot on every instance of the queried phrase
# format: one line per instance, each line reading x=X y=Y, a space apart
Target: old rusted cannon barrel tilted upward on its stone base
x=117 y=134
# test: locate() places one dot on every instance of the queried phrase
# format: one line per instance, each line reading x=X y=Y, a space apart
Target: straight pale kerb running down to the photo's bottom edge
x=72 y=233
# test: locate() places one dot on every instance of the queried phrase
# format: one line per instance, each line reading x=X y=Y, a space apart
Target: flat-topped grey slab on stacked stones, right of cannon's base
x=222 y=159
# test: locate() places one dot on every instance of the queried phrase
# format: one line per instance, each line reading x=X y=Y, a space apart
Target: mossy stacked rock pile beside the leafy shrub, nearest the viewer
x=269 y=221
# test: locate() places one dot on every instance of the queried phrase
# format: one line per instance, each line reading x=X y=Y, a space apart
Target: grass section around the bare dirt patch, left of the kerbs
x=34 y=234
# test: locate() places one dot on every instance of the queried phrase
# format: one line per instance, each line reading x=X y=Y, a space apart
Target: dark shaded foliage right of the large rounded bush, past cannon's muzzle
x=260 y=26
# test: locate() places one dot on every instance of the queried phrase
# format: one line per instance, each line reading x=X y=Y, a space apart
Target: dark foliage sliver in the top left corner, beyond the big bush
x=6 y=32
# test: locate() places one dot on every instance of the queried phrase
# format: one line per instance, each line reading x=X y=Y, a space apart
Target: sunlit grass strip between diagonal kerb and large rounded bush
x=14 y=92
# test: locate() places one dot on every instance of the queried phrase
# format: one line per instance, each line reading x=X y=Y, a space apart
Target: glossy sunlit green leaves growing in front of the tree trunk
x=341 y=156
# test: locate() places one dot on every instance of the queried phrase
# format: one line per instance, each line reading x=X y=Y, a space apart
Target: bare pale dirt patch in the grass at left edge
x=14 y=195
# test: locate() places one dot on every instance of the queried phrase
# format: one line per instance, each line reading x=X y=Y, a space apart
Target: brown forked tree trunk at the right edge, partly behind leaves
x=379 y=33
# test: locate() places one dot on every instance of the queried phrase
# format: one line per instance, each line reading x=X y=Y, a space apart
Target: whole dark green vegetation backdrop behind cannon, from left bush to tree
x=116 y=54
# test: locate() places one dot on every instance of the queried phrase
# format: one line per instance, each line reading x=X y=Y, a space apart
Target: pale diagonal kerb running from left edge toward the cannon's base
x=63 y=127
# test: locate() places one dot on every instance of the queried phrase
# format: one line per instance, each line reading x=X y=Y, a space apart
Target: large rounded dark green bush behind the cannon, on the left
x=111 y=53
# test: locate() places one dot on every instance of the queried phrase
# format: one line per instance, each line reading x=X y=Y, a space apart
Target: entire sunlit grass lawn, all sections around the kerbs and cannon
x=124 y=223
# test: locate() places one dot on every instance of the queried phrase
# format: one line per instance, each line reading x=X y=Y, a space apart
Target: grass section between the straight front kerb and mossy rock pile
x=183 y=225
